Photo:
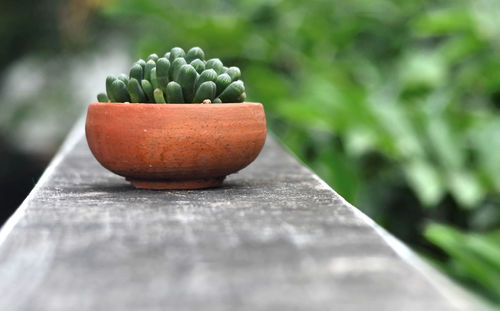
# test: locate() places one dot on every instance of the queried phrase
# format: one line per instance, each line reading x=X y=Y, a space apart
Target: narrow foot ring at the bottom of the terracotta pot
x=201 y=183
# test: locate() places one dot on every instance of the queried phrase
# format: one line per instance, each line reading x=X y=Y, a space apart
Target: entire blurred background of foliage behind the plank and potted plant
x=395 y=103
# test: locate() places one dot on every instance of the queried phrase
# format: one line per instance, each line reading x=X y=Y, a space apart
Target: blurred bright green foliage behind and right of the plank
x=394 y=103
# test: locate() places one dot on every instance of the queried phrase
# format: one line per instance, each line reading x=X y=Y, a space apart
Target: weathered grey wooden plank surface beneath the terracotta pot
x=275 y=237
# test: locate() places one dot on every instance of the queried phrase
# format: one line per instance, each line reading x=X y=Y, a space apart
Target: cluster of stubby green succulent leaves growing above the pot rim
x=177 y=77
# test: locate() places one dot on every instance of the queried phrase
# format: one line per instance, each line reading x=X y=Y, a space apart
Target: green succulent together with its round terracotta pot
x=175 y=122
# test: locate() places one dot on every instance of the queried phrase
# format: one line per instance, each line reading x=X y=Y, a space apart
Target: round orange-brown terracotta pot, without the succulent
x=175 y=146
